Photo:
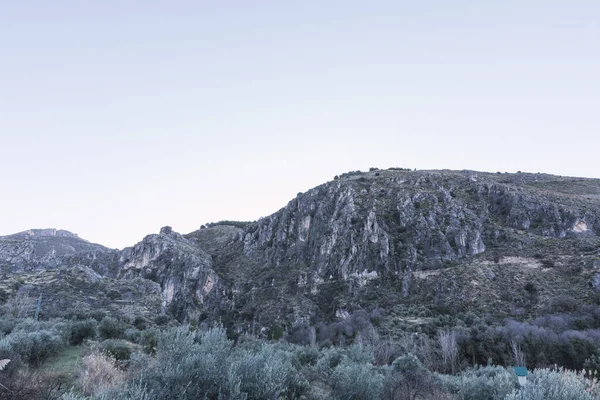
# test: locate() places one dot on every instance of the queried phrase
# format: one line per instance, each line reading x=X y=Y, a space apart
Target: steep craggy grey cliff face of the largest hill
x=388 y=223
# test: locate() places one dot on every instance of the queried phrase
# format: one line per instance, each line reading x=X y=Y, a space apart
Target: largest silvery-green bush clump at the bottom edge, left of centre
x=197 y=365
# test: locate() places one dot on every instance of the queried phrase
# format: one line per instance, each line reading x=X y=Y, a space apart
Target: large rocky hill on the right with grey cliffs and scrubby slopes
x=444 y=240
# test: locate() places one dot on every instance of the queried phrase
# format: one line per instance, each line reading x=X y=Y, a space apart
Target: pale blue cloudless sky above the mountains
x=120 y=117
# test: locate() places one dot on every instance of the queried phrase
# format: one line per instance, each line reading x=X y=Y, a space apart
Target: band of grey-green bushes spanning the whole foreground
x=120 y=362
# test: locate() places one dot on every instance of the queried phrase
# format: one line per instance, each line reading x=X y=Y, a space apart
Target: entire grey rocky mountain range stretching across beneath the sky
x=410 y=244
